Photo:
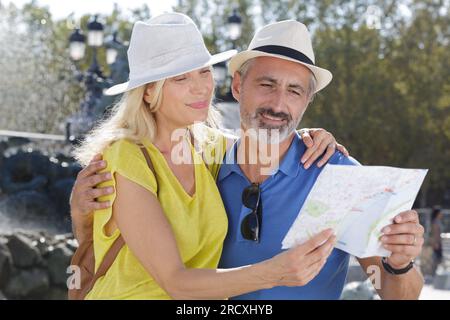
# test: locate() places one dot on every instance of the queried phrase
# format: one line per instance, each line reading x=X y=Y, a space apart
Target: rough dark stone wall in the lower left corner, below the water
x=33 y=265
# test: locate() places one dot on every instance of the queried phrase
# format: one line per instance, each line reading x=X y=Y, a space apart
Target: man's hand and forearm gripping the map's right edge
x=404 y=238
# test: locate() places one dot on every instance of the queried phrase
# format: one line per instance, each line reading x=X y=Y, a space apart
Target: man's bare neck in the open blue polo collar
x=268 y=157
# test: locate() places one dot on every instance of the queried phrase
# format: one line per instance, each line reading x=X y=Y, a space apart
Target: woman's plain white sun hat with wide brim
x=167 y=45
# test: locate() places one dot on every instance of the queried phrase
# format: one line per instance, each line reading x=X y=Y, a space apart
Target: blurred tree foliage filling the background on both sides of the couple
x=389 y=100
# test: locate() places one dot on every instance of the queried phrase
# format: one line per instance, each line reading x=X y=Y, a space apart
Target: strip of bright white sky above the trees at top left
x=61 y=9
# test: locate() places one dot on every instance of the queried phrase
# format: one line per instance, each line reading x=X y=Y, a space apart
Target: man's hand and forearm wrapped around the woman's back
x=83 y=198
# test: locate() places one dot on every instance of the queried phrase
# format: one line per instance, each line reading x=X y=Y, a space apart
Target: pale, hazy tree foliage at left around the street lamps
x=38 y=86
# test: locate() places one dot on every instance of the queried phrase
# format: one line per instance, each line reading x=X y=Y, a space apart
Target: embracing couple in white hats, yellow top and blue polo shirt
x=213 y=229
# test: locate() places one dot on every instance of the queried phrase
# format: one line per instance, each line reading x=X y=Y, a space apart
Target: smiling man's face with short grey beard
x=273 y=95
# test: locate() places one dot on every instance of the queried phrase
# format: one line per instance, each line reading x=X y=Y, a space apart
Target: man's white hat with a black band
x=288 y=40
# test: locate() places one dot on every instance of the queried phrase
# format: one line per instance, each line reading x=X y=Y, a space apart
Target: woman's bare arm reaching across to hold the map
x=148 y=234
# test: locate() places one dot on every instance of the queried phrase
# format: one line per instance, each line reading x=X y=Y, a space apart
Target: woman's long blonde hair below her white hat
x=133 y=119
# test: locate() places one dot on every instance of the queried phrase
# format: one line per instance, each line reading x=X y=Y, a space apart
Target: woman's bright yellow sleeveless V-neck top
x=199 y=223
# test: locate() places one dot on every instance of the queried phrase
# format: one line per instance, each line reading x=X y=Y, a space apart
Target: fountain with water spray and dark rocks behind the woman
x=39 y=93
